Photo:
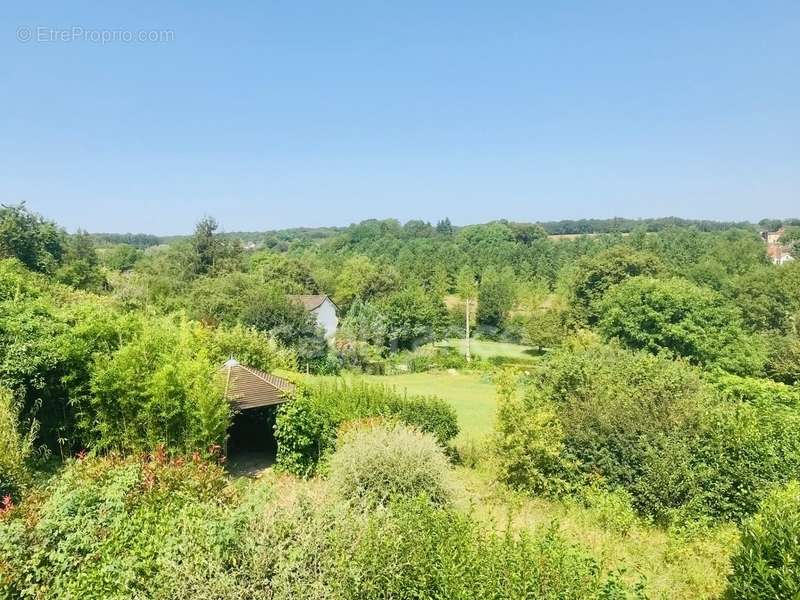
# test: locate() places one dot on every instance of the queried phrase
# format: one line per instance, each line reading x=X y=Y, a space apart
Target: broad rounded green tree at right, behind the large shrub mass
x=681 y=318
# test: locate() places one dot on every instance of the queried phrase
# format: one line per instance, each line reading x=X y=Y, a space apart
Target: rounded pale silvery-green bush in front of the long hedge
x=379 y=462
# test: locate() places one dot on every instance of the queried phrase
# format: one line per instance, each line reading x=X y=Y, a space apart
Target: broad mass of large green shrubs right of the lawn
x=652 y=427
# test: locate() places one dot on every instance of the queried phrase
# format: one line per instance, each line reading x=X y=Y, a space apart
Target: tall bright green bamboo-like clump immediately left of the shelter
x=160 y=388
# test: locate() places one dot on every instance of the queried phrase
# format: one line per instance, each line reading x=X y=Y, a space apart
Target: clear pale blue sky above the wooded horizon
x=278 y=114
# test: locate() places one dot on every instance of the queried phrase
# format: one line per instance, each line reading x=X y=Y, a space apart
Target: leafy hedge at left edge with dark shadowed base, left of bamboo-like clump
x=47 y=346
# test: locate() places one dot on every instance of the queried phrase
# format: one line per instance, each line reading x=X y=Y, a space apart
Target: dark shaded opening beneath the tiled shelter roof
x=251 y=440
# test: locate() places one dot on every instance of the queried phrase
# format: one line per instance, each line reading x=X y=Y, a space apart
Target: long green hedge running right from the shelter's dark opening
x=306 y=427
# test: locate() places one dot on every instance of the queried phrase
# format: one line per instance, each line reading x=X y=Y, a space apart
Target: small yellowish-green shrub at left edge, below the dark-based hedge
x=15 y=448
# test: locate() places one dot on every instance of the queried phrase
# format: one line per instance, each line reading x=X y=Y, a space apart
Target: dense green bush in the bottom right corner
x=767 y=564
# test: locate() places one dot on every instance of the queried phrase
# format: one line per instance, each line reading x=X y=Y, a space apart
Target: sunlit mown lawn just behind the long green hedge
x=471 y=394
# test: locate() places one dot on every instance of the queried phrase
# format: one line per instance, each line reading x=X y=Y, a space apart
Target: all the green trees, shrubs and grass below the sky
x=630 y=408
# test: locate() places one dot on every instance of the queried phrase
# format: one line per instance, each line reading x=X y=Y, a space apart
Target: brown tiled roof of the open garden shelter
x=246 y=387
